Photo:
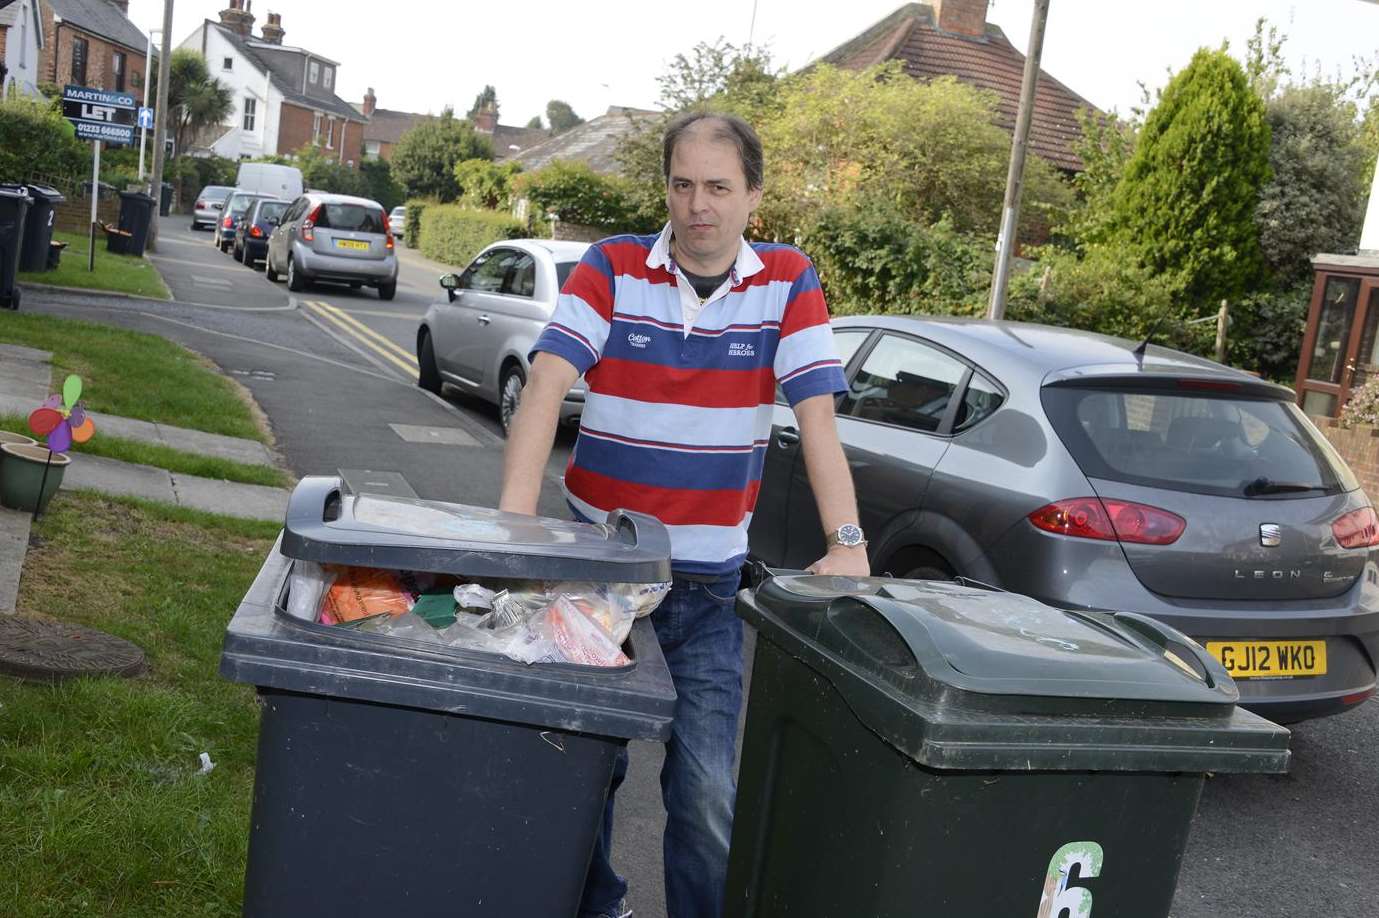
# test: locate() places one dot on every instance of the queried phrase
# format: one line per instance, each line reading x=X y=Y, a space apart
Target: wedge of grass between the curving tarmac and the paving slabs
x=134 y=374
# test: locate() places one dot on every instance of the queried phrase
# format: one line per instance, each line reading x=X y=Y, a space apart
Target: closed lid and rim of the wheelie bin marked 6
x=967 y=677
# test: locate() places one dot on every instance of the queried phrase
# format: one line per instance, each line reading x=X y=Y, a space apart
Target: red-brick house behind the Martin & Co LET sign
x=93 y=43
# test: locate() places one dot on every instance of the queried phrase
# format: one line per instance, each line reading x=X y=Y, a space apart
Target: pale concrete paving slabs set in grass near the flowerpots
x=27 y=380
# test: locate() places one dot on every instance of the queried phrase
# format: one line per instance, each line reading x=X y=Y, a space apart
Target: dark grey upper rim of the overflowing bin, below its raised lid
x=270 y=649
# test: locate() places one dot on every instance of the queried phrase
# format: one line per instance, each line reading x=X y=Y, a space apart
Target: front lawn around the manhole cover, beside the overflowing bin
x=101 y=806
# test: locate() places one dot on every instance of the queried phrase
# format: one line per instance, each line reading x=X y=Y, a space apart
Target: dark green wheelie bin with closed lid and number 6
x=936 y=749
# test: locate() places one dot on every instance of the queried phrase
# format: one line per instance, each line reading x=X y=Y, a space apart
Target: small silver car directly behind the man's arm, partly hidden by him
x=479 y=337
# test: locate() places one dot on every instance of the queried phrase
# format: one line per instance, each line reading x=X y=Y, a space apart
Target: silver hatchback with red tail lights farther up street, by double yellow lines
x=334 y=238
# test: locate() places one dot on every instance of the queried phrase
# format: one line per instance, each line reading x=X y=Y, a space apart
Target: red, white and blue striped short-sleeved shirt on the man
x=676 y=421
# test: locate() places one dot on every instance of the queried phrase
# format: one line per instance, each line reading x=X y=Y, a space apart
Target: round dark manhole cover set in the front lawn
x=49 y=651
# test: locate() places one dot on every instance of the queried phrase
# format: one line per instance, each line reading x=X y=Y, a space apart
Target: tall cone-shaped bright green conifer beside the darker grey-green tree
x=1187 y=201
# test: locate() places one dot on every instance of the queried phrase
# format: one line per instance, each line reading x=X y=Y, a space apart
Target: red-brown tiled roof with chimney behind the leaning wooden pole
x=952 y=38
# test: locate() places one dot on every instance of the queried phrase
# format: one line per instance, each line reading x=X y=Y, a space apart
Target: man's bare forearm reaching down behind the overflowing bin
x=534 y=432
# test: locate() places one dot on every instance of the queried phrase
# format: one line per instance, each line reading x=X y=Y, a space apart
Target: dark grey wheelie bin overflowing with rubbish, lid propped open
x=409 y=779
